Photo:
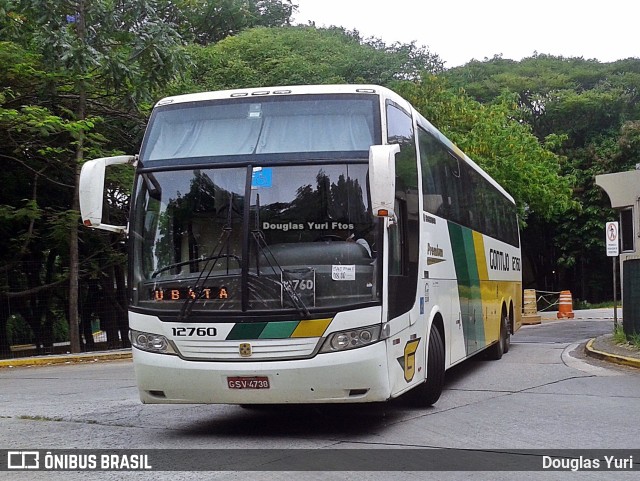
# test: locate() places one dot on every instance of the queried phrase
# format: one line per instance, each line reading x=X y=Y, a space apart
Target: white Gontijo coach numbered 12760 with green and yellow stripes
x=308 y=244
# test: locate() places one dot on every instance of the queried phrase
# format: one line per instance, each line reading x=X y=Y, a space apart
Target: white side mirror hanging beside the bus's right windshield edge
x=382 y=179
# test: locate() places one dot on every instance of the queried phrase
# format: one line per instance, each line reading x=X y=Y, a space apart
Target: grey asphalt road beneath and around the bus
x=543 y=394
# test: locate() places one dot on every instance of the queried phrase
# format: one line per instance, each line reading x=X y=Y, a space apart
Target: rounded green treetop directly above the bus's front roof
x=301 y=55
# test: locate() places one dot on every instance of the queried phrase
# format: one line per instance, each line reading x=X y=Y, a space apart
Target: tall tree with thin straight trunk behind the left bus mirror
x=97 y=49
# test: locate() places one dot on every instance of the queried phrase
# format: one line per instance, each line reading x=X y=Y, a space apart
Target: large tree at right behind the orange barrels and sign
x=586 y=108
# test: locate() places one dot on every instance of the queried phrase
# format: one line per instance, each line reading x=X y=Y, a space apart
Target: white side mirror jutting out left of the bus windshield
x=91 y=191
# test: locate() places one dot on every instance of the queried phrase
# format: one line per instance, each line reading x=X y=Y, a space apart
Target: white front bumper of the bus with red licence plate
x=358 y=375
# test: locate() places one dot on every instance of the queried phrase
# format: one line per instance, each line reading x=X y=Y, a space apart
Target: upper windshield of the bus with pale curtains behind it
x=259 y=126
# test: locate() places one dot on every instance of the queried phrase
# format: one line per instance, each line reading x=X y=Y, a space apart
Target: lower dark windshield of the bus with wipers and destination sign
x=305 y=239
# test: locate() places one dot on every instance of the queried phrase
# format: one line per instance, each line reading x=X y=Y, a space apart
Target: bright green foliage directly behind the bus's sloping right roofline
x=502 y=146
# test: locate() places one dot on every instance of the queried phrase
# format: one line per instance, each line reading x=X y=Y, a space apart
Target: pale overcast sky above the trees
x=461 y=30
